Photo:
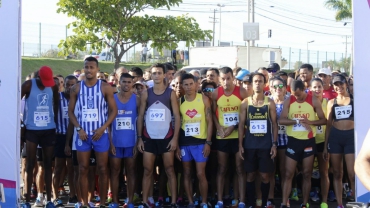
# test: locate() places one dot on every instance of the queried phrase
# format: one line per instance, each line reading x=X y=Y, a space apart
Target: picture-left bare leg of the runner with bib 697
x=148 y=163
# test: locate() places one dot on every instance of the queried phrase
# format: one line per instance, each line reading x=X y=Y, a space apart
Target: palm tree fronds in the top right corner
x=343 y=8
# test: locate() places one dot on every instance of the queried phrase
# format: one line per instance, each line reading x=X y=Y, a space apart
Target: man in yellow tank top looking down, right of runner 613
x=299 y=115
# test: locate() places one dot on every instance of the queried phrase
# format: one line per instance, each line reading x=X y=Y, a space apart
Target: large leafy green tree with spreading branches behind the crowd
x=117 y=24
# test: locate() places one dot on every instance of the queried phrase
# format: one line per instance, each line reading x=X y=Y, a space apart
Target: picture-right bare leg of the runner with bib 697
x=168 y=160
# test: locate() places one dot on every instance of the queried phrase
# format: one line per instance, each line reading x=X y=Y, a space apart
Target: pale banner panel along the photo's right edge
x=361 y=55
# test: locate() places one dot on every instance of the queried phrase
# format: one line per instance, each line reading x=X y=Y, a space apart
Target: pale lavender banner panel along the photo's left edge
x=10 y=73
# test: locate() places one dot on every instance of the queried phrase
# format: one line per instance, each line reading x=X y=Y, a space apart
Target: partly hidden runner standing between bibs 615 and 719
x=61 y=159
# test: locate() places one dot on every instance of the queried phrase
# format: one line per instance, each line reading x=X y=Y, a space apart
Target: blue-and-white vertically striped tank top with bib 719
x=92 y=108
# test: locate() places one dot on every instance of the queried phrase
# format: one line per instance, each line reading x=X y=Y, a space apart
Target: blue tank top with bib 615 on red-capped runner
x=39 y=112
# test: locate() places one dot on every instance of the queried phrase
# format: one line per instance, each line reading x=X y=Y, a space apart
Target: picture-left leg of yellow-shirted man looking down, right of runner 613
x=290 y=166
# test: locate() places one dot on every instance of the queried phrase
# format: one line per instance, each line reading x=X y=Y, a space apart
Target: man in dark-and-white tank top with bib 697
x=157 y=136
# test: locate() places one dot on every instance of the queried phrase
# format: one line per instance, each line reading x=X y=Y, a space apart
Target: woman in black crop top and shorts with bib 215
x=339 y=137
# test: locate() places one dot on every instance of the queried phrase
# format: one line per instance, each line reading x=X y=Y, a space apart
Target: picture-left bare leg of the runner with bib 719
x=83 y=167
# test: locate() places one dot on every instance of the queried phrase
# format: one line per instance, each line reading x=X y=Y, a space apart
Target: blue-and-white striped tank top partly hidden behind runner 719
x=63 y=119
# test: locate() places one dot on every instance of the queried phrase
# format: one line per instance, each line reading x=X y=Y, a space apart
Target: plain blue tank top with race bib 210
x=124 y=125
